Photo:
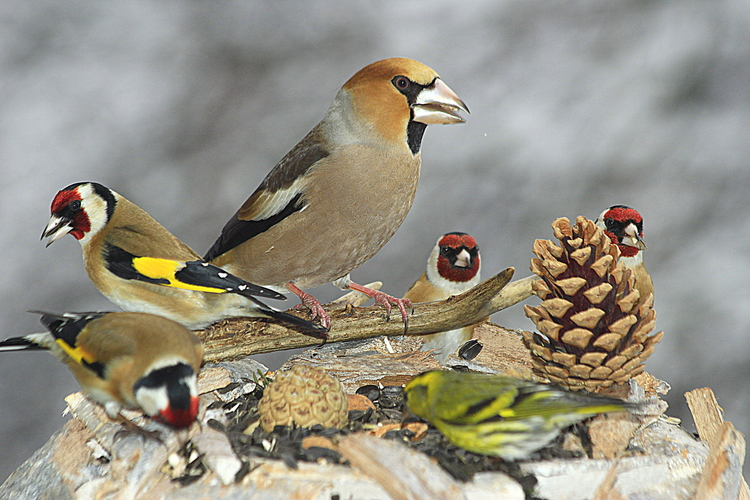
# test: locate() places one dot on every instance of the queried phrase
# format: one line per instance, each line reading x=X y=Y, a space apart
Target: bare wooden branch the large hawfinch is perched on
x=239 y=337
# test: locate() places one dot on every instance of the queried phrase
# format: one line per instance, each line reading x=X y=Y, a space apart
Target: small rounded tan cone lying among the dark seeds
x=304 y=396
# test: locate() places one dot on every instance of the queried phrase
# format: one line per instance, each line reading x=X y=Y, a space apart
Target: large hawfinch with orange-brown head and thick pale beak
x=340 y=194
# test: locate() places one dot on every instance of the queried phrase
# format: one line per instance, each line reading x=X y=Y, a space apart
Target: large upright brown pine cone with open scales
x=592 y=333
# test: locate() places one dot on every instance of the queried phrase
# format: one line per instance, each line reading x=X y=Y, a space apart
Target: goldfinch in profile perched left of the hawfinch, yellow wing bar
x=140 y=266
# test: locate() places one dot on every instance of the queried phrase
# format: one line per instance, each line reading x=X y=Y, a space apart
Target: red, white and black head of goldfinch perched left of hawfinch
x=81 y=210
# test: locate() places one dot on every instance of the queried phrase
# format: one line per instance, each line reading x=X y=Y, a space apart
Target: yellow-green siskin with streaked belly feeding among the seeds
x=498 y=415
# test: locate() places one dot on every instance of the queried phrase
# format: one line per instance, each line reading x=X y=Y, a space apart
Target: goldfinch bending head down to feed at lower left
x=133 y=360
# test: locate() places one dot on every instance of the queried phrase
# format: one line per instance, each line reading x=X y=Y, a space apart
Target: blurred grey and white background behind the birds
x=576 y=105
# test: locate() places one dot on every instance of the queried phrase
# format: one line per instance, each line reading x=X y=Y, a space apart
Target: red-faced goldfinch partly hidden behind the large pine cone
x=624 y=226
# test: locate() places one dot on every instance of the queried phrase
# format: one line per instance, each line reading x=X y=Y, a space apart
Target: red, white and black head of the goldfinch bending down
x=168 y=393
